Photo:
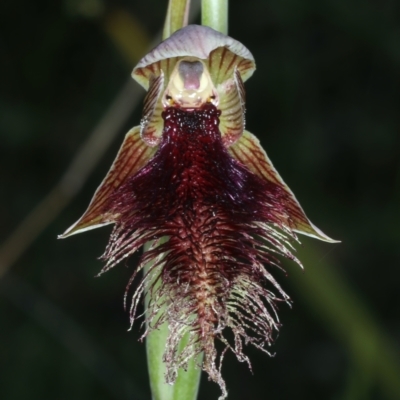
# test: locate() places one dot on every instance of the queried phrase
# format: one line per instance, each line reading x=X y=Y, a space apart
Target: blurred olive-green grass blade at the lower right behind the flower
x=331 y=298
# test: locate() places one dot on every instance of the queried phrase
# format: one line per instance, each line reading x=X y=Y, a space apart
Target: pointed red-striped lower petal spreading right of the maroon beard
x=249 y=152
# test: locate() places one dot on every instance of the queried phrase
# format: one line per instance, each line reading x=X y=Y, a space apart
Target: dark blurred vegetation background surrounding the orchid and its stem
x=325 y=103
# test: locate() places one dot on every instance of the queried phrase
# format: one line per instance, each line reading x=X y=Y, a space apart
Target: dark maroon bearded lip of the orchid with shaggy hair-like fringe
x=223 y=224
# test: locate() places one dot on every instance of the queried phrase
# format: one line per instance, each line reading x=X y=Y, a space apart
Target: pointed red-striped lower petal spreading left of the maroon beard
x=132 y=156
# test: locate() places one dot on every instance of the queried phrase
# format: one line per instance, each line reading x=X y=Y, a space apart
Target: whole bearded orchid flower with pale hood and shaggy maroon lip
x=192 y=175
